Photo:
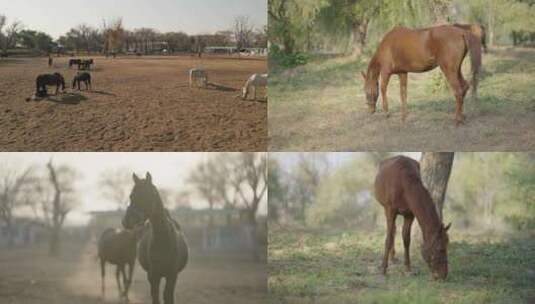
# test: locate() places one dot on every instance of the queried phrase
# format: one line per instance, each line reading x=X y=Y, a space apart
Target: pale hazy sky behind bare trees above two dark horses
x=168 y=170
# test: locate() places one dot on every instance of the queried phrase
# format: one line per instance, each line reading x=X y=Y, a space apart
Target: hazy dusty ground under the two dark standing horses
x=30 y=276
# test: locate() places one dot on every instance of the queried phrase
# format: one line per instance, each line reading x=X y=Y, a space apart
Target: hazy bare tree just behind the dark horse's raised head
x=115 y=185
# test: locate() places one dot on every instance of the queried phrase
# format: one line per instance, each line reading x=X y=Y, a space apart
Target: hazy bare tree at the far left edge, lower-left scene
x=12 y=196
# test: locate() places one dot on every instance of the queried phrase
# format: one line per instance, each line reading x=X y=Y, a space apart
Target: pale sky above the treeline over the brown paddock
x=191 y=16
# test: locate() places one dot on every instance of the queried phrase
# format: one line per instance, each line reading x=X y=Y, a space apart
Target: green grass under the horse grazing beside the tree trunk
x=343 y=267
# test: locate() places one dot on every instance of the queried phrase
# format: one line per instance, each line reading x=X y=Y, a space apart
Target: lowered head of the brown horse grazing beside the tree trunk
x=435 y=253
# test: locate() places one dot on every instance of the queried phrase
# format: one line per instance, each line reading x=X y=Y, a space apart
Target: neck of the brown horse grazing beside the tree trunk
x=422 y=206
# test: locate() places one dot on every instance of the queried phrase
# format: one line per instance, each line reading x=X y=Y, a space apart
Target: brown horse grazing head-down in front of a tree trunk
x=399 y=188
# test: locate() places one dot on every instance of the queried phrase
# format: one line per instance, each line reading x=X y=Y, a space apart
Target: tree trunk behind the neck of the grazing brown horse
x=435 y=168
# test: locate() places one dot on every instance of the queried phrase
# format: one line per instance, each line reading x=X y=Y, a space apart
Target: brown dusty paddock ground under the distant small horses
x=137 y=104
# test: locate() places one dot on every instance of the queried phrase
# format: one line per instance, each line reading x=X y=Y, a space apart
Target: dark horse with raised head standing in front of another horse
x=163 y=251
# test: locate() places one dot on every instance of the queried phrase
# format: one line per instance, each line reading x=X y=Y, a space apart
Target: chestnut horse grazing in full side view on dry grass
x=405 y=50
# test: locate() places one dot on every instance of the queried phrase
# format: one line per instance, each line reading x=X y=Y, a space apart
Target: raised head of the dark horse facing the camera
x=142 y=200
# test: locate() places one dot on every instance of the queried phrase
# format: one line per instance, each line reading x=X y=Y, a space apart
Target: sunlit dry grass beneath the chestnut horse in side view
x=321 y=106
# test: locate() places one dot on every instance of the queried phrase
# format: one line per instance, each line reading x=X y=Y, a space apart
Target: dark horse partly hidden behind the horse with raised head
x=118 y=247
